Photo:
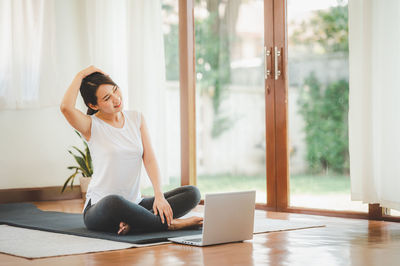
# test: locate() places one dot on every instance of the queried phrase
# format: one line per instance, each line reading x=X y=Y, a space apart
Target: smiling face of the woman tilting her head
x=109 y=99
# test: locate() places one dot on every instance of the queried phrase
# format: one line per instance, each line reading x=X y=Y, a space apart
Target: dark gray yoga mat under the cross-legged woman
x=27 y=215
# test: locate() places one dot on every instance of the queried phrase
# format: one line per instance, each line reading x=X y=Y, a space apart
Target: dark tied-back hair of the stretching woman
x=89 y=87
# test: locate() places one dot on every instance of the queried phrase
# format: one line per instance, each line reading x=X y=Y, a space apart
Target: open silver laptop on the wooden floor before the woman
x=228 y=217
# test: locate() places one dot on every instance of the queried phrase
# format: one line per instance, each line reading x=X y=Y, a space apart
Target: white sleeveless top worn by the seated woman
x=117 y=159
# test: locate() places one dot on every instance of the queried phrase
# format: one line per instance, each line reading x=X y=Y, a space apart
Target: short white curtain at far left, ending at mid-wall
x=28 y=74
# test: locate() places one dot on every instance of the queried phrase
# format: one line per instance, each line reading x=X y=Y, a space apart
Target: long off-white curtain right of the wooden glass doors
x=374 y=104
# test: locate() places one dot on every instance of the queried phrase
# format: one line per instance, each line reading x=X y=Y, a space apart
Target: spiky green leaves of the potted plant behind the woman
x=84 y=161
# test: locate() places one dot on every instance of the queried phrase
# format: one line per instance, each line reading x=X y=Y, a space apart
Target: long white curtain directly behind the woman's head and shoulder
x=125 y=39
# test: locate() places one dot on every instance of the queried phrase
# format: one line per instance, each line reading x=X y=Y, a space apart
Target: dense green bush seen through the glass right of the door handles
x=325 y=114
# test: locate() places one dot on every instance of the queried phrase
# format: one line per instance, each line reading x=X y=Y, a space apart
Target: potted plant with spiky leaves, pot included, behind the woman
x=85 y=168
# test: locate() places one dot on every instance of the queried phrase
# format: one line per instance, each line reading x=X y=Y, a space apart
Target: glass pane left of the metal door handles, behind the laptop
x=230 y=96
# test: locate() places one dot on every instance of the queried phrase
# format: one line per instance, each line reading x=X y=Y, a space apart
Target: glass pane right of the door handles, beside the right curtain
x=318 y=84
